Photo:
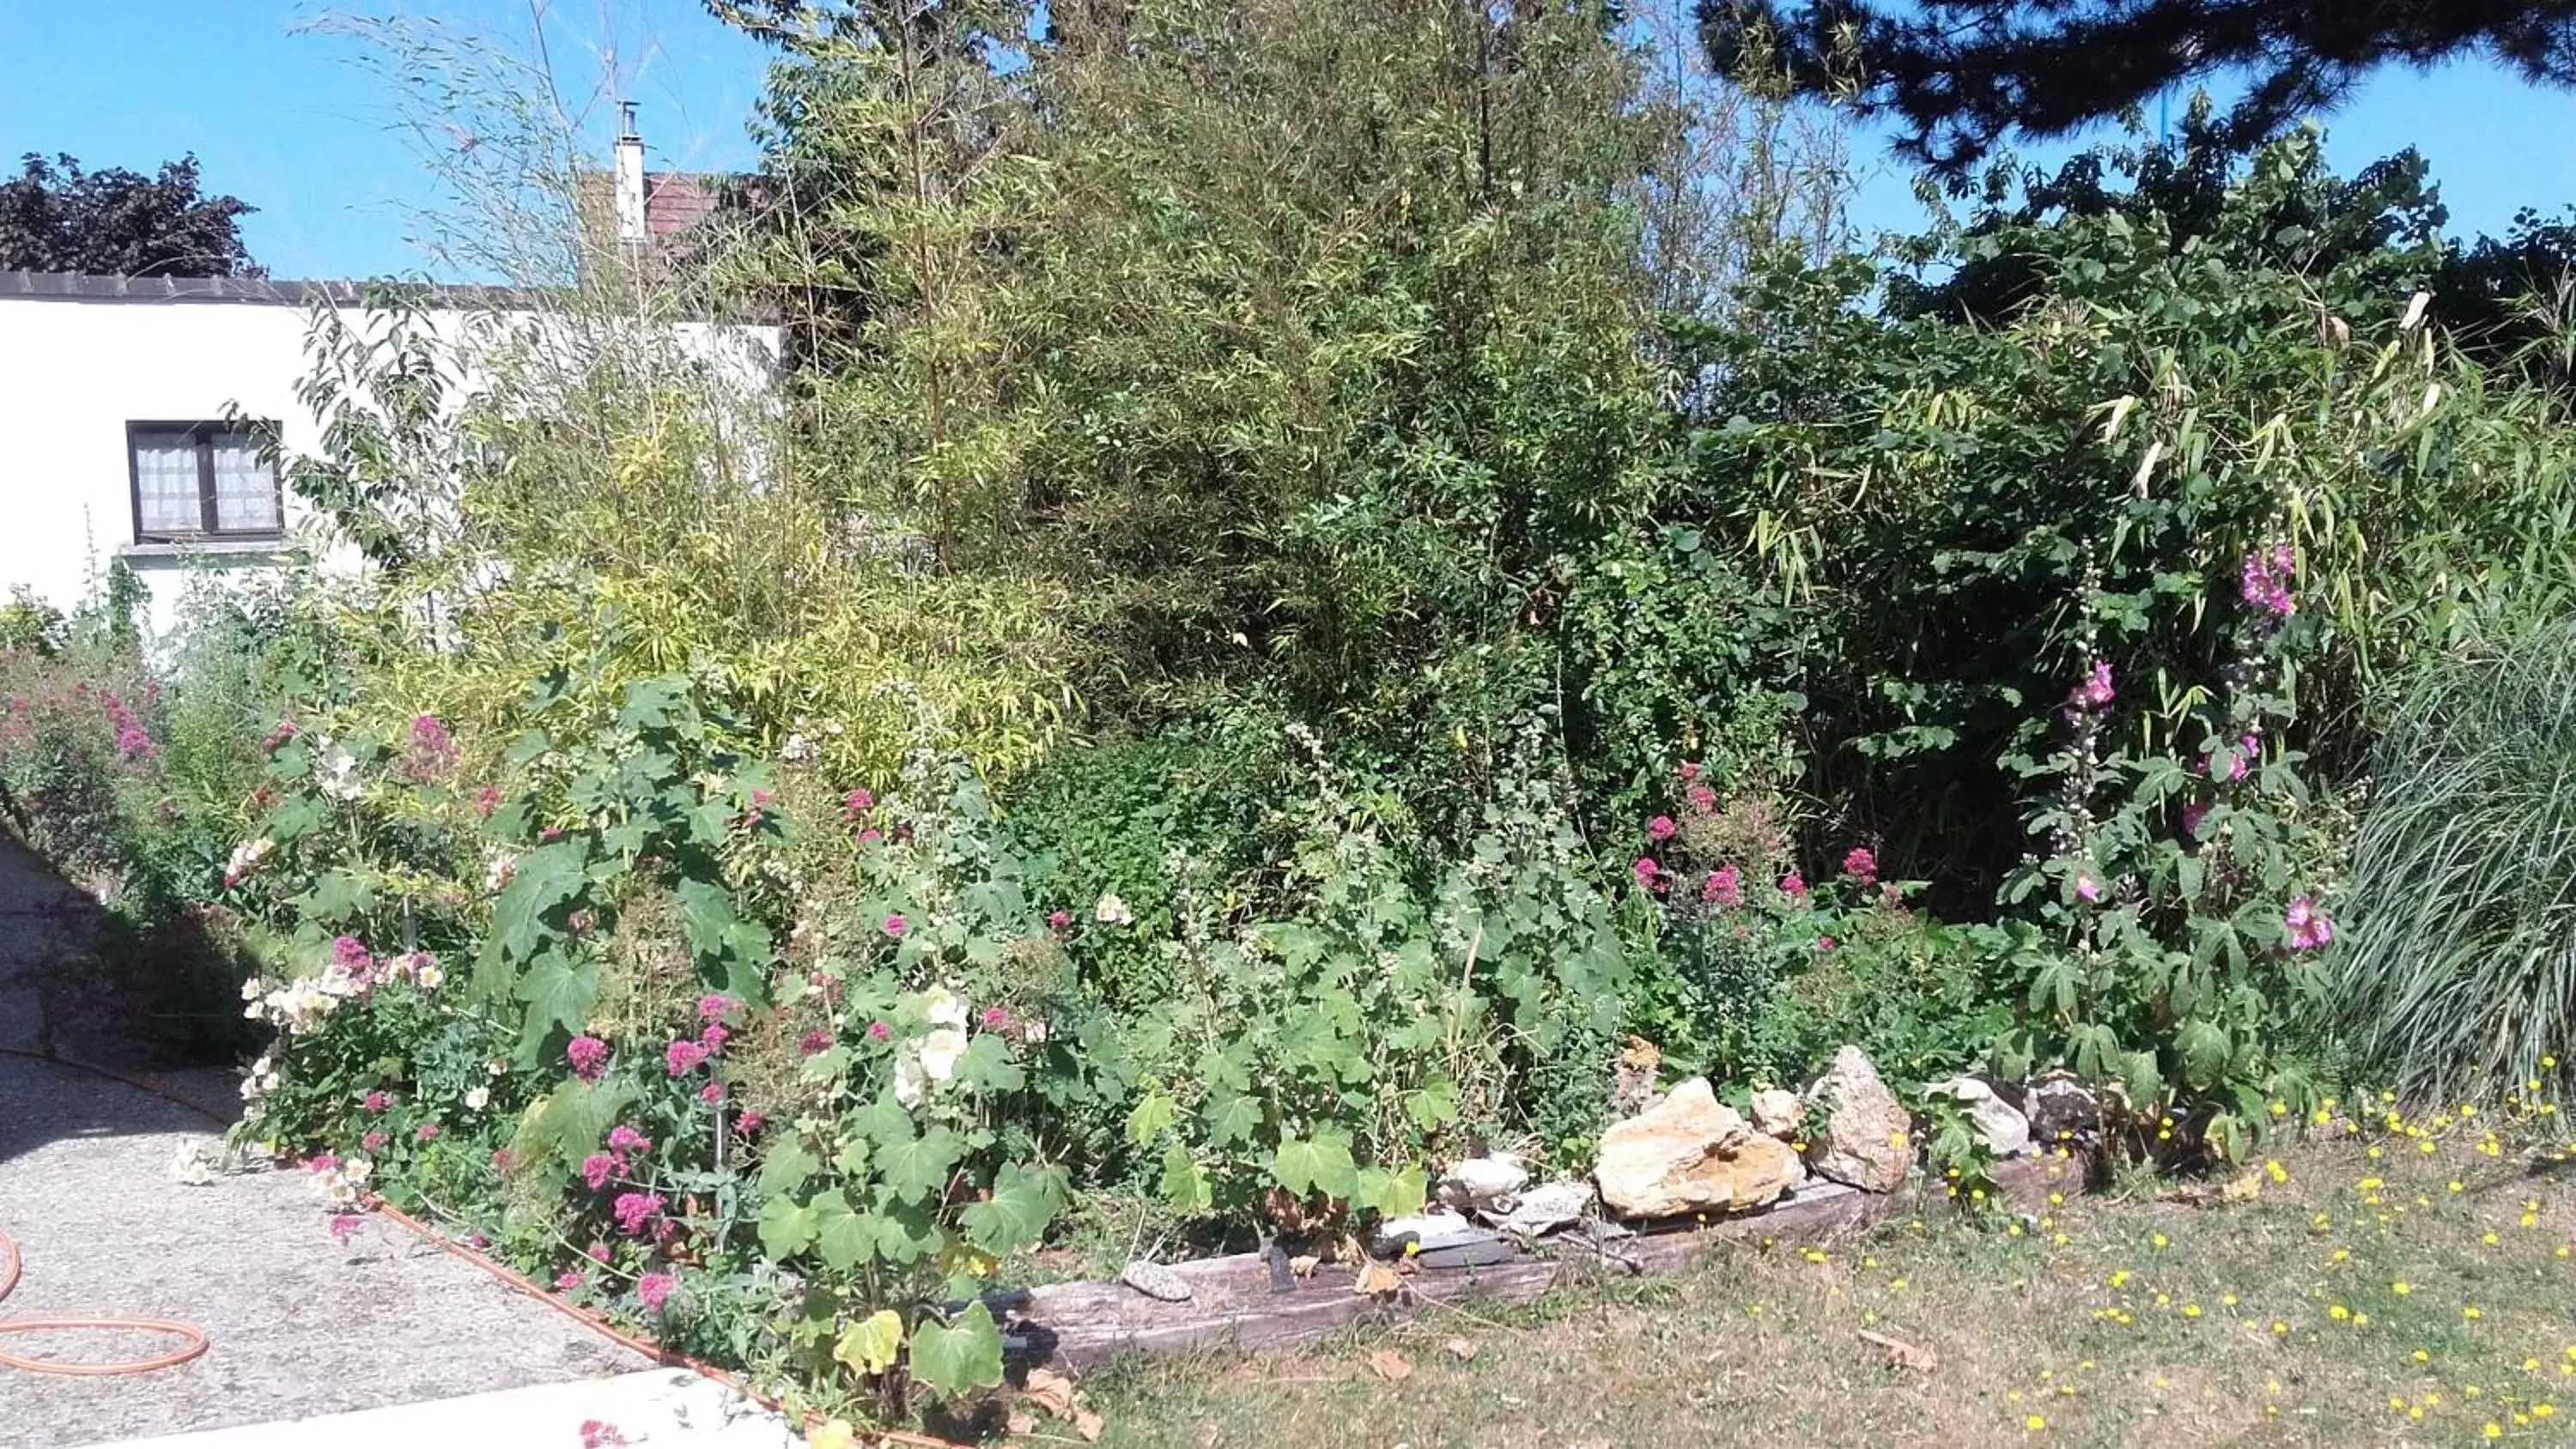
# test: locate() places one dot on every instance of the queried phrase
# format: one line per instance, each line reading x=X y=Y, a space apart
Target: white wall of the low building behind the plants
x=73 y=372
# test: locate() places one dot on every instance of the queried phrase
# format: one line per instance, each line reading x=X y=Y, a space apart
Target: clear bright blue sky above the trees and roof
x=292 y=125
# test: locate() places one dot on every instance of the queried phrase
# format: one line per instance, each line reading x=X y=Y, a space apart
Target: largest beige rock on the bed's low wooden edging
x=1691 y=1154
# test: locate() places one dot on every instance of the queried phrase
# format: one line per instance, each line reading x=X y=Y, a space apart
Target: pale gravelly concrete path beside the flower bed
x=300 y=1324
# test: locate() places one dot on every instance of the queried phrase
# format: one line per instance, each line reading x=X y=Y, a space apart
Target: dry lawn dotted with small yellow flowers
x=2108 y=1322
